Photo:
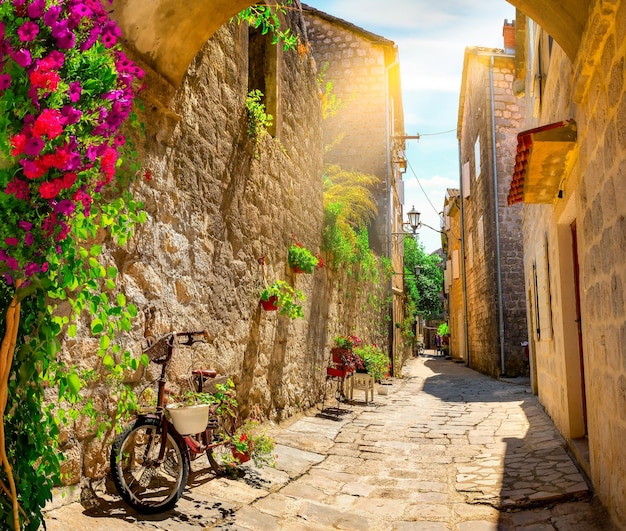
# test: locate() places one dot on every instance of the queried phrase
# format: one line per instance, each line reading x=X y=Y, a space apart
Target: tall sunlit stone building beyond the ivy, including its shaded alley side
x=365 y=134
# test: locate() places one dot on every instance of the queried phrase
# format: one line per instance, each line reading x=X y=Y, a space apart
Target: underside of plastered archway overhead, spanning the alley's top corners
x=169 y=33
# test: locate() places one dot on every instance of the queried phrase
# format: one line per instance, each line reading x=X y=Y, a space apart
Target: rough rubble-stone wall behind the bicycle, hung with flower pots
x=213 y=211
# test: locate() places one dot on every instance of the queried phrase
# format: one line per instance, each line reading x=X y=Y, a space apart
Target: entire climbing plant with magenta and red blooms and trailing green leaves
x=66 y=89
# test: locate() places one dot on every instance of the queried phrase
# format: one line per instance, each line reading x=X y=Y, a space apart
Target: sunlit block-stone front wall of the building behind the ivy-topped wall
x=356 y=65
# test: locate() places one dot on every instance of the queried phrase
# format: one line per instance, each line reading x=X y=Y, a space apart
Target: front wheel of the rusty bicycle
x=146 y=482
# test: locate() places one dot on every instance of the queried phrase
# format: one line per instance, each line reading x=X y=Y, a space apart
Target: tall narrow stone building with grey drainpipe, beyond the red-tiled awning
x=489 y=118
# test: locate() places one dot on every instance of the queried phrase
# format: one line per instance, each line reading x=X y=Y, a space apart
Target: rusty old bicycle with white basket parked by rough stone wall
x=150 y=459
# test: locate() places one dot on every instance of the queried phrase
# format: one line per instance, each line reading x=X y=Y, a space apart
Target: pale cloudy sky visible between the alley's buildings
x=431 y=38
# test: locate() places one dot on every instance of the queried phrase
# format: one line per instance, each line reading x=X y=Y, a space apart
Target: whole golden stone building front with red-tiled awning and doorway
x=569 y=174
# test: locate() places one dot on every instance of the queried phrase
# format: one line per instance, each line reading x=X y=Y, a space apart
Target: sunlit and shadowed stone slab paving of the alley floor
x=446 y=450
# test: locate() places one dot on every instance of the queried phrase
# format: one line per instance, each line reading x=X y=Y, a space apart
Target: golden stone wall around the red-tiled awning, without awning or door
x=592 y=91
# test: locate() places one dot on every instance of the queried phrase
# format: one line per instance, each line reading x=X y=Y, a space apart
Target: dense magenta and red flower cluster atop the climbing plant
x=64 y=139
